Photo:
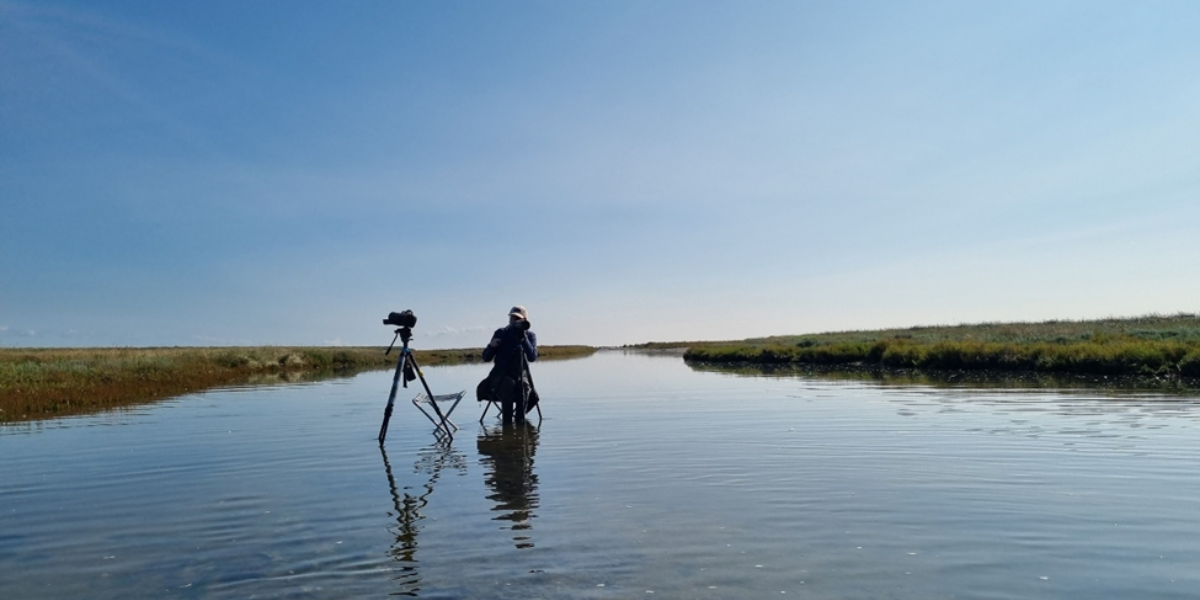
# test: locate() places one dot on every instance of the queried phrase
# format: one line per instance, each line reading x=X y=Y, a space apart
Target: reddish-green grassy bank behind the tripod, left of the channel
x=46 y=383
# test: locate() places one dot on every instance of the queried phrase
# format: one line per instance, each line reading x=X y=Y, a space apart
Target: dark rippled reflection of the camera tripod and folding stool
x=410 y=502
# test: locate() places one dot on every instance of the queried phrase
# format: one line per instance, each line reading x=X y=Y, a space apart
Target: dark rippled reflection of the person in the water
x=507 y=455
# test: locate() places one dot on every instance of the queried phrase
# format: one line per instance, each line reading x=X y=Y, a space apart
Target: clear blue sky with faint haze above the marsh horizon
x=230 y=173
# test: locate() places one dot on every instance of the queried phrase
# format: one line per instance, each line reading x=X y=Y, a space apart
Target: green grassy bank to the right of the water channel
x=1143 y=346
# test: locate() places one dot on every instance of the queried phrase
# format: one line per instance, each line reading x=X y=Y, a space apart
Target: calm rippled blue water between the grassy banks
x=646 y=479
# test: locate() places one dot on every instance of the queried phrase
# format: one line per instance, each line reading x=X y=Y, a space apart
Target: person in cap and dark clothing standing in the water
x=512 y=347
